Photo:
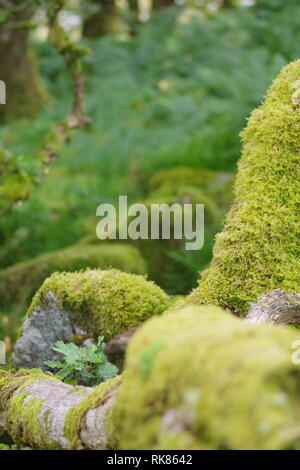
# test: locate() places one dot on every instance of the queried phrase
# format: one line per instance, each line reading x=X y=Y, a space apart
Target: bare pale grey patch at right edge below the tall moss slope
x=277 y=306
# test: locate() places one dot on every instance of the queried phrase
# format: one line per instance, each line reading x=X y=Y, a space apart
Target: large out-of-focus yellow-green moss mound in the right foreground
x=217 y=382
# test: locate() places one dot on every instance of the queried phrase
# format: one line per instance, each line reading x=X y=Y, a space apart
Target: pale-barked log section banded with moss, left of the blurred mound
x=38 y=411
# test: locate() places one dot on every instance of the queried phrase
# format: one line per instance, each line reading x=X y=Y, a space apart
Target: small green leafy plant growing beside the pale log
x=83 y=365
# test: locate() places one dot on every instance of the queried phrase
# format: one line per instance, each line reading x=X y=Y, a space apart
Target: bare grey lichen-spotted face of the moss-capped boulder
x=46 y=325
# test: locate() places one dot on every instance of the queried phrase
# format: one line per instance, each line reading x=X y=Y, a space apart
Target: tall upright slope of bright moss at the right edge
x=258 y=250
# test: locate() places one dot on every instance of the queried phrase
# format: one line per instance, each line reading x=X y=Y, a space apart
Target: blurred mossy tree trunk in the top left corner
x=25 y=94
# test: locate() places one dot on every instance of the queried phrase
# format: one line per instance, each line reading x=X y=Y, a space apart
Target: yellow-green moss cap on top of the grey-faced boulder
x=104 y=302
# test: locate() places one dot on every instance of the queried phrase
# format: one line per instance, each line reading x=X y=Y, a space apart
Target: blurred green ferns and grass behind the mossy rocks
x=176 y=94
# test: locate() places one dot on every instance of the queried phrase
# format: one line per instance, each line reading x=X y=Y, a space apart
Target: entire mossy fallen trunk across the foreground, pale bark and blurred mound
x=193 y=379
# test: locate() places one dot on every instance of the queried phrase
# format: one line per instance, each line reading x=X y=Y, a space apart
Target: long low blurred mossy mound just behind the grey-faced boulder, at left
x=30 y=274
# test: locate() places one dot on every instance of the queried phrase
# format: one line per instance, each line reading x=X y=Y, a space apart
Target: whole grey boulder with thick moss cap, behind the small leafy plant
x=76 y=306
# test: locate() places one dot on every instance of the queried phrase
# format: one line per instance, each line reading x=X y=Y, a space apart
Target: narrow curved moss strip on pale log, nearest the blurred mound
x=92 y=400
